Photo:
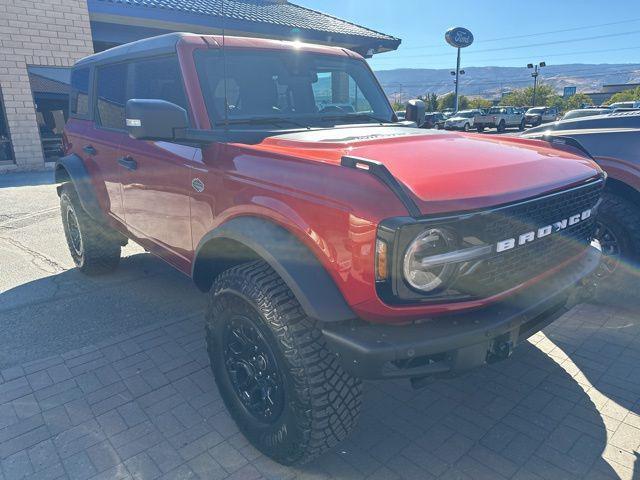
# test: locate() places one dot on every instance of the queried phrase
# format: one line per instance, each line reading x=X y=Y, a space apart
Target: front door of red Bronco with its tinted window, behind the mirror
x=155 y=176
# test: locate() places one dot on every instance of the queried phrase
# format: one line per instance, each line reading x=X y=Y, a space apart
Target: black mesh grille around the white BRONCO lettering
x=510 y=268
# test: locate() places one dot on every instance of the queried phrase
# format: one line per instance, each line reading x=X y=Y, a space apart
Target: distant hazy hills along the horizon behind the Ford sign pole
x=491 y=82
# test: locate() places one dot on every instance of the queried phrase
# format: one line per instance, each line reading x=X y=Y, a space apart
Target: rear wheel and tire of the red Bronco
x=98 y=250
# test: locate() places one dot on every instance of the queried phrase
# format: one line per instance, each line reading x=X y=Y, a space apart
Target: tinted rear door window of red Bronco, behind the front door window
x=111 y=95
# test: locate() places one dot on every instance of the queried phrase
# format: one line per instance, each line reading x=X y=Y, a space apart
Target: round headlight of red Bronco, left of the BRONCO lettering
x=434 y=241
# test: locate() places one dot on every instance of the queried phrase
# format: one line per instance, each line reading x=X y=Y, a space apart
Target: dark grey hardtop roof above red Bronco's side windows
x=161 y=44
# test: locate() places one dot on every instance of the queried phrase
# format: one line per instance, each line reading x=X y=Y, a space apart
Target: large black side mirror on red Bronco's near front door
x=154 y=119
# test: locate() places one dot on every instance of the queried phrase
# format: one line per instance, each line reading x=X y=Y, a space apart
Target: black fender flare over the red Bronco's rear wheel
x=78 y=175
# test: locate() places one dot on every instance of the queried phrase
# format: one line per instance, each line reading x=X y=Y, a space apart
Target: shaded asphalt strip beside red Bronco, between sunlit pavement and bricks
x=70 y=310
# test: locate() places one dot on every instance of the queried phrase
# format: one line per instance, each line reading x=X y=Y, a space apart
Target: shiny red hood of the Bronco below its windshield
x=443 y=171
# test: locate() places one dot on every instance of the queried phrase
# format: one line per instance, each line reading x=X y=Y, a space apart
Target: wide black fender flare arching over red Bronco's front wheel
x=289 y=257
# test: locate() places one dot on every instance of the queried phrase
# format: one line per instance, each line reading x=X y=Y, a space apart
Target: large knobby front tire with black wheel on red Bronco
x=321 y=401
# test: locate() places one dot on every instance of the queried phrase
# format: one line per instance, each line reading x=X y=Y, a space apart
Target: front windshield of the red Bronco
x=290 y=87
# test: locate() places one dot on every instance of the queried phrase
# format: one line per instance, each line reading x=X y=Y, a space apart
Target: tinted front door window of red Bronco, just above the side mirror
x=157 y=78
